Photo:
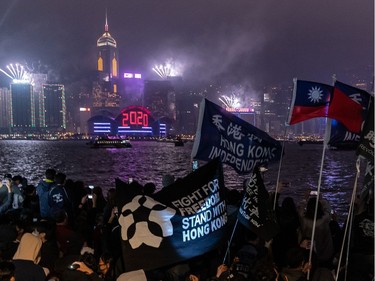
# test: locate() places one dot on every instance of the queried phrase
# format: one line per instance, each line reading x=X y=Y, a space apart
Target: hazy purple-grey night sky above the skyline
x=258 y=43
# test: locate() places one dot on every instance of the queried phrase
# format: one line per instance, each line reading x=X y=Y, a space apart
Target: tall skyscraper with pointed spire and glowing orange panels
x=105 y=88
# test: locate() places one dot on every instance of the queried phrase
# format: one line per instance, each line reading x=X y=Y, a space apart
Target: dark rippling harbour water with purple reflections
x=149 y=161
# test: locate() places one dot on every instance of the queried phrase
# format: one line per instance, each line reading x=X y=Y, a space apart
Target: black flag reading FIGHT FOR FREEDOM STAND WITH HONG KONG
x=185 y=219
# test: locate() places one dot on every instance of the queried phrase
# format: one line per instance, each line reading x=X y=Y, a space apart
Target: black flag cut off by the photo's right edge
x=366 y=144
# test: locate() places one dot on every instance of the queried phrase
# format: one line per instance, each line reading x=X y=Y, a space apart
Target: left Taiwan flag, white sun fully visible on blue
x=310 y=100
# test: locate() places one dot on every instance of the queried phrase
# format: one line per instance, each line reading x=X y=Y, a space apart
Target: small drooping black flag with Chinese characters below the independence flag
x=256 y=211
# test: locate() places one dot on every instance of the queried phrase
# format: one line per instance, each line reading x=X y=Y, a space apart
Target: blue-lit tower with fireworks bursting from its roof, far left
x=22 y=107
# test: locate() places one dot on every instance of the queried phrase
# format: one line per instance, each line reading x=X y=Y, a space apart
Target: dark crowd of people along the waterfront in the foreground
x=61 y=229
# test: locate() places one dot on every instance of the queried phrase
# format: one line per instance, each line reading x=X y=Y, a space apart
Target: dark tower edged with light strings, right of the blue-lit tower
x=52 y=108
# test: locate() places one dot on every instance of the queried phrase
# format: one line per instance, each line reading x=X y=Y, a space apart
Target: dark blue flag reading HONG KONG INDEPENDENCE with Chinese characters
x=238 y=143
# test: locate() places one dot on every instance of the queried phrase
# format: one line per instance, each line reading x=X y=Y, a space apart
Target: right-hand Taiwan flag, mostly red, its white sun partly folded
x=346 y=107
